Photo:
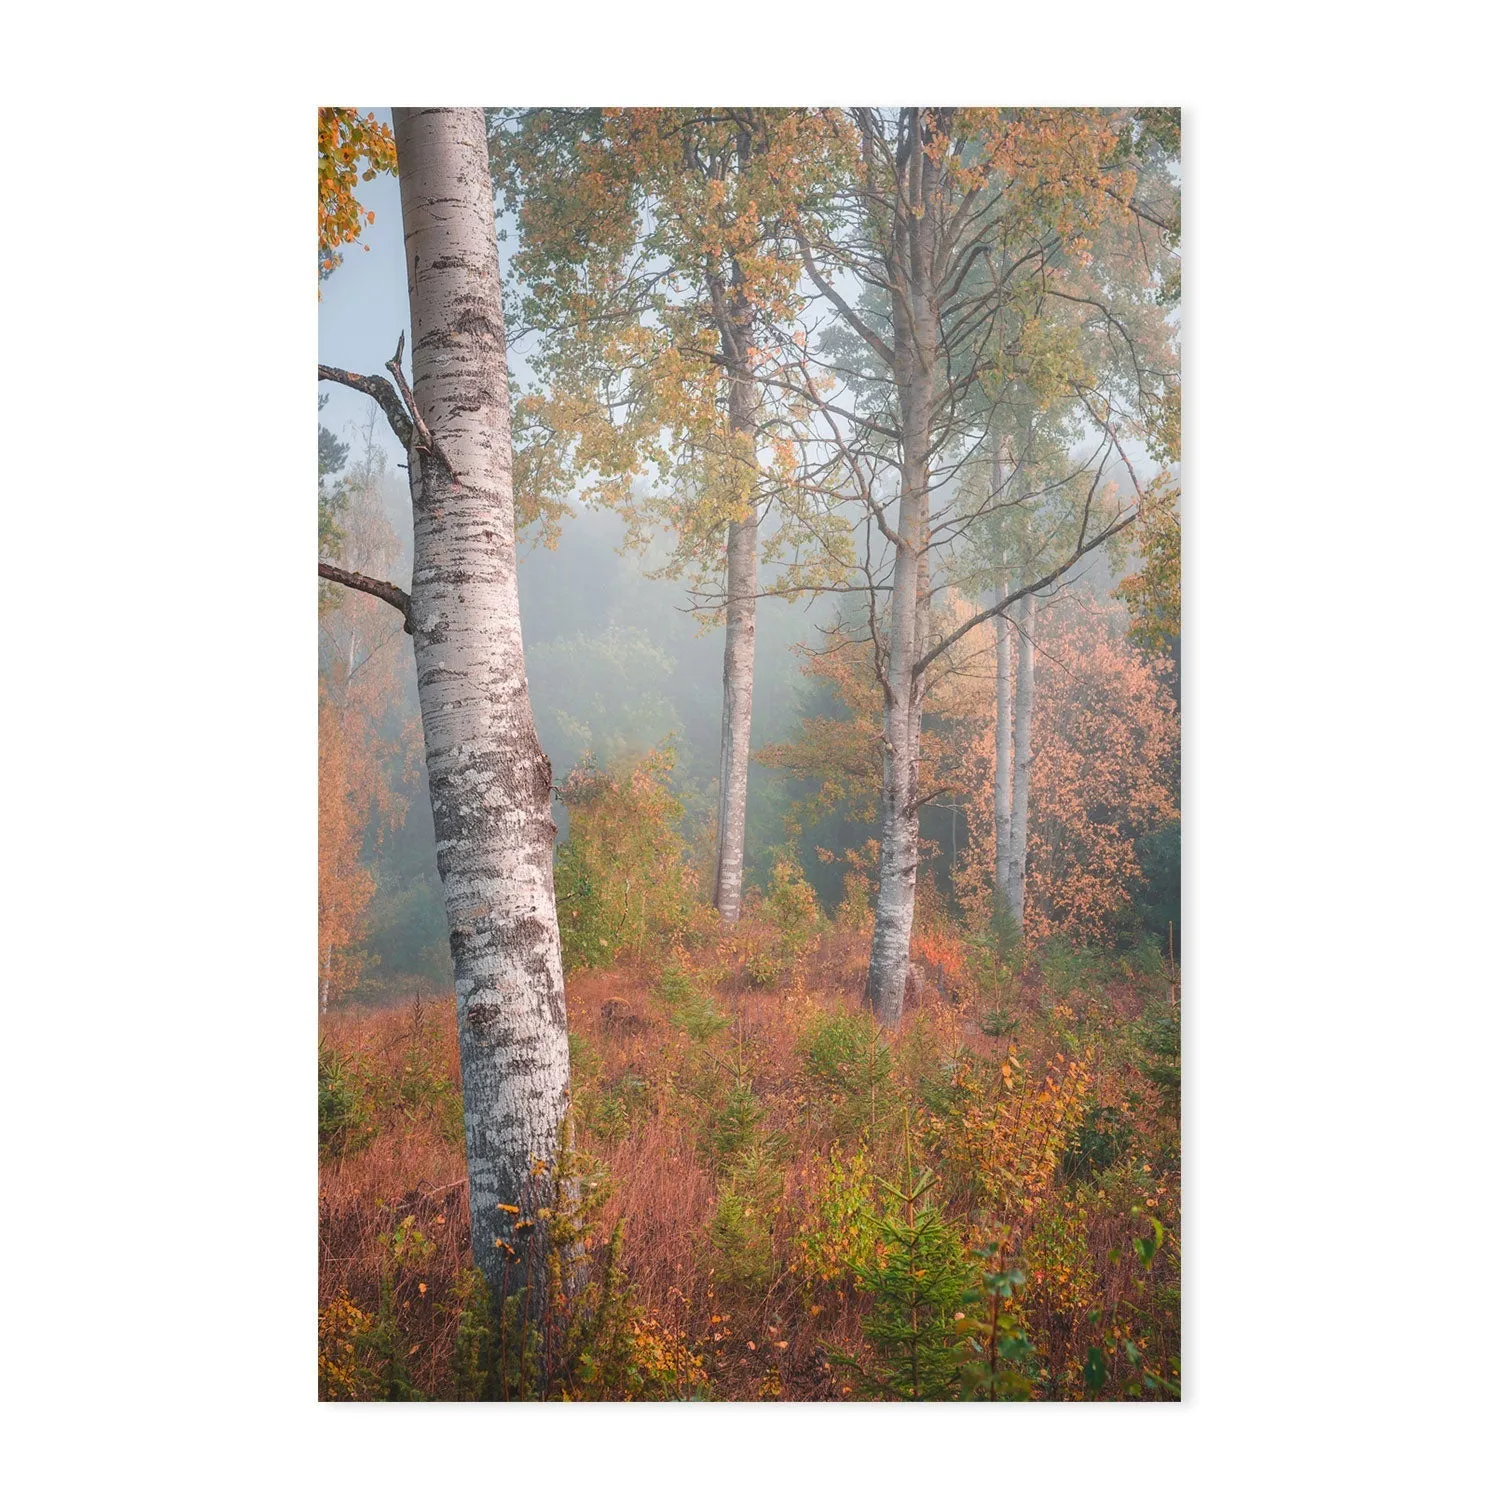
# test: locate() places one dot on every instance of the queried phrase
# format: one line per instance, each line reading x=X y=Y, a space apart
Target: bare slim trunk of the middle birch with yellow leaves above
x=734 y=748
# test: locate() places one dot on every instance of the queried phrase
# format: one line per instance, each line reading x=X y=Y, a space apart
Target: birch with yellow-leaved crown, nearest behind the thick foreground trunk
x=653 y=260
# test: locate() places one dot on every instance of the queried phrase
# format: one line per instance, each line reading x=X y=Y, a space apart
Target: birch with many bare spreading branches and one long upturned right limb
x=943 y=220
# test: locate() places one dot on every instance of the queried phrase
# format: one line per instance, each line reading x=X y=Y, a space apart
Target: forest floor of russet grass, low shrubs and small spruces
x=748 y=1139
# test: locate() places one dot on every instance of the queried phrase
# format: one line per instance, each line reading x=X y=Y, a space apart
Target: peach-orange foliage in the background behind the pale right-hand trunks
x=1105 y=770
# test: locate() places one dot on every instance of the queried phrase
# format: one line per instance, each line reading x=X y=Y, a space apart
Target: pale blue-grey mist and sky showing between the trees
x=617 y=664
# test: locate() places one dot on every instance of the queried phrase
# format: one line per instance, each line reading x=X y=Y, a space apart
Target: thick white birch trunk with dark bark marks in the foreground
x=490 y=782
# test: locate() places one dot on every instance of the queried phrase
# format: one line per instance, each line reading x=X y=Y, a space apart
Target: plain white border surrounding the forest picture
x=163 y=743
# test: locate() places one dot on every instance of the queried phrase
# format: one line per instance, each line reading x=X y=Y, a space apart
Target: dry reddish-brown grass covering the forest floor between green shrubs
x=770 y=1343
